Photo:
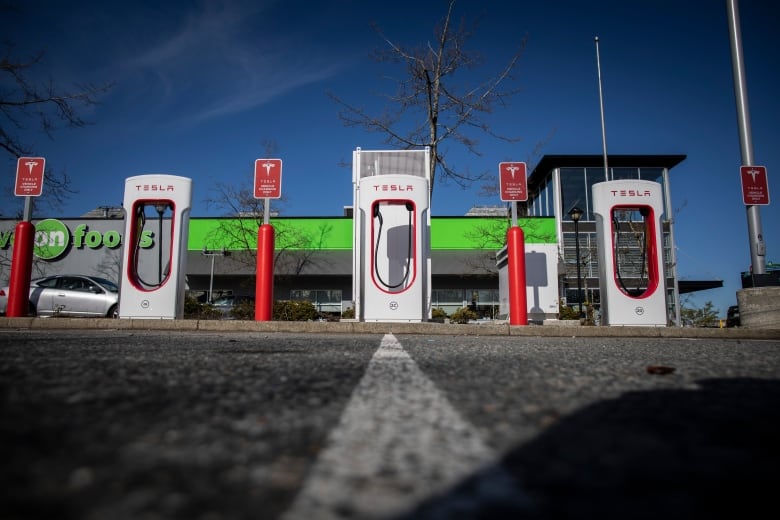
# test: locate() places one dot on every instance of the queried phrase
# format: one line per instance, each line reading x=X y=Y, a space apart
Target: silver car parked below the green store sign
x=70 y=295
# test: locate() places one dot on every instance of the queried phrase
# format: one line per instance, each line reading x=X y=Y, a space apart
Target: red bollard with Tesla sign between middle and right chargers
x=514 y=187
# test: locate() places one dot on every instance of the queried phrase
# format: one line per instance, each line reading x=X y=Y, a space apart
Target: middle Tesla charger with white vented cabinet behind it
x=391 y=254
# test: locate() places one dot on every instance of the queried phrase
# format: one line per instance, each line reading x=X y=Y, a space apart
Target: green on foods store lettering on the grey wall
x=53 y=238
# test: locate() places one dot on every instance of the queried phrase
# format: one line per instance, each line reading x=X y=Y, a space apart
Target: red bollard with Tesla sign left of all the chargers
x=29 y=184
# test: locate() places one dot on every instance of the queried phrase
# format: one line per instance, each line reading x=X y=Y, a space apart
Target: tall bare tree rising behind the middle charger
x=430 y=106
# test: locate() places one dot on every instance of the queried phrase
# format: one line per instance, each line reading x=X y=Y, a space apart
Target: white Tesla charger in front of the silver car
x=154 y=262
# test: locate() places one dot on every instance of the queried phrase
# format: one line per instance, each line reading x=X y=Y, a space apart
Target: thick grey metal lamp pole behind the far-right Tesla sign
x=755 y=236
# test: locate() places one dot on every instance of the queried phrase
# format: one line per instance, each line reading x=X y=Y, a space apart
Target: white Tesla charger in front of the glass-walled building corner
x=631 y=269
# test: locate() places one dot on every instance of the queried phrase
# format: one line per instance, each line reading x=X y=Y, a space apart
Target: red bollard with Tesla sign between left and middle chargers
x=268 y=185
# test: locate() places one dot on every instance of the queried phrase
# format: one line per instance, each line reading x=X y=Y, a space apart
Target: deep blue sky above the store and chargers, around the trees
x=201 y=85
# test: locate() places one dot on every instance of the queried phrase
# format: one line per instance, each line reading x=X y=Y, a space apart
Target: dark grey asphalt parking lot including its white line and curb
x=125 y=419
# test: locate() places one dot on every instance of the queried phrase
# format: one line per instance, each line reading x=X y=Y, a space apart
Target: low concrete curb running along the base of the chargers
x=352 y=327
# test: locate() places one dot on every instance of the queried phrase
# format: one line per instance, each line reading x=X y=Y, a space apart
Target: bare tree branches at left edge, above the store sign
x=25 y=103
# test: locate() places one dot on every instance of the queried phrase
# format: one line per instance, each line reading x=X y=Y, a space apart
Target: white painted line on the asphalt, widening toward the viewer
x=398 y=442
